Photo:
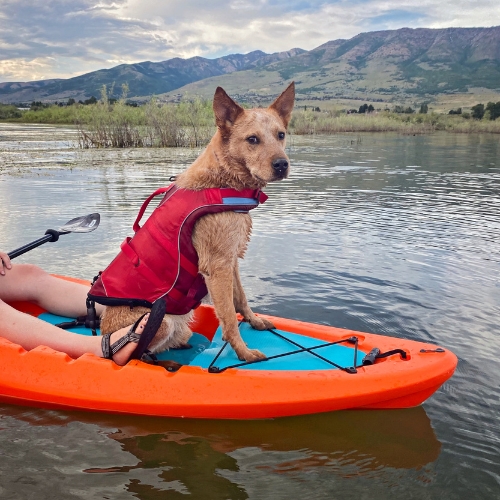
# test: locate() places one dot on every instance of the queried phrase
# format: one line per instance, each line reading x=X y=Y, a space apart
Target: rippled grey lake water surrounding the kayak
x=398 y=235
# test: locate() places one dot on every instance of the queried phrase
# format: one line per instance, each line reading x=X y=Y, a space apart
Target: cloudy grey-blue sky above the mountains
x=41 y=39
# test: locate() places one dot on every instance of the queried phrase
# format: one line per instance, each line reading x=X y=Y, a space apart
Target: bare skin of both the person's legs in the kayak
x=27 y=282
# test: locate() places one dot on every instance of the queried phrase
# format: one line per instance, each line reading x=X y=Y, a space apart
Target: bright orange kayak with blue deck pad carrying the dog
x=310 y=369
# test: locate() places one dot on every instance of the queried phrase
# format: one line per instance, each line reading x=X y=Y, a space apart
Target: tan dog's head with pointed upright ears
x=254 y=139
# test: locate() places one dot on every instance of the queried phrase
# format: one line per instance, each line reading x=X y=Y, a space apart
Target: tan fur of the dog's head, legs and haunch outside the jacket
x=239 y=156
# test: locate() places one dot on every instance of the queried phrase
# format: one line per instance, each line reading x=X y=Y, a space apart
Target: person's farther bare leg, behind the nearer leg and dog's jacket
x=29 y=282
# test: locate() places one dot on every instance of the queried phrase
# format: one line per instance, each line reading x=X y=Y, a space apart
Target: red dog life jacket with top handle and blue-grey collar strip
x=160 y=260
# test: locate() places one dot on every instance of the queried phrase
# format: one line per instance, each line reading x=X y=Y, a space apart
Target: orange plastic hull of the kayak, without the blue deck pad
x=46 y=378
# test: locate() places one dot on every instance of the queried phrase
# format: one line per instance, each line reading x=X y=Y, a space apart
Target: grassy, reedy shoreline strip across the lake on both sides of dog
x=108 y=131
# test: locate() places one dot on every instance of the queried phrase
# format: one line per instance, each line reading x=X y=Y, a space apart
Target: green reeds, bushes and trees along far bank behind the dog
x=117 y=123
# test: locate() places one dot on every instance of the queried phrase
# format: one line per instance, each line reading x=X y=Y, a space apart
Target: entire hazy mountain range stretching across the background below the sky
x=380 y=65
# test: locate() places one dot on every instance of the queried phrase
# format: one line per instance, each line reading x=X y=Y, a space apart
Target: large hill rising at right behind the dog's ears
x=405 y=64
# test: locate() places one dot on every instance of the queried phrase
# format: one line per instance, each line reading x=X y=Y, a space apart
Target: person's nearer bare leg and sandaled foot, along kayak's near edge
x=30 y=332
